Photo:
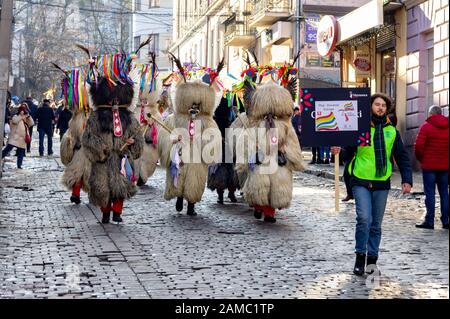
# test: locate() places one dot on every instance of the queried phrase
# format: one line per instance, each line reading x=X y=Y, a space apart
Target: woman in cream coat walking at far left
x=19 y=134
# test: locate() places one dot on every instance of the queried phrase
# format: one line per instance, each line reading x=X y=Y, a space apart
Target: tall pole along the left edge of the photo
x=5 y=55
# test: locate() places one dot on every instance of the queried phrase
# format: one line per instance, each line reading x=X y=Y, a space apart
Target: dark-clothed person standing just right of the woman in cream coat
x=45 y=118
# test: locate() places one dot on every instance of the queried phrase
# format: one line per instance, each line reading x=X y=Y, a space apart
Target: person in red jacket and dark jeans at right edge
x=431 y=149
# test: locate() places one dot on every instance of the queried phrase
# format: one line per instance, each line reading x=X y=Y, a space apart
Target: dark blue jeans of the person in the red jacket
x=431 y=178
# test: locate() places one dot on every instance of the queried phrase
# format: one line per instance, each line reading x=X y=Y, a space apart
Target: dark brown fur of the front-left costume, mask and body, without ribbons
x=105 y=150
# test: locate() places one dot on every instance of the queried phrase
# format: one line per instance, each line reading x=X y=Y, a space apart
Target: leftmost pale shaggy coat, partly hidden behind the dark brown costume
x=73 y=155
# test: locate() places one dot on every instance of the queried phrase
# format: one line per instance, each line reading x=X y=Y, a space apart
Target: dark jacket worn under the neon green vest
x=401 y=158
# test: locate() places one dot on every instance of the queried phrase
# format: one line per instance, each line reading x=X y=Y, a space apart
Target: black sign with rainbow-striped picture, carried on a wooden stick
x=335 y=117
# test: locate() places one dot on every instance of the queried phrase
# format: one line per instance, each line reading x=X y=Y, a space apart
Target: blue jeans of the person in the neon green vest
x=370 y=206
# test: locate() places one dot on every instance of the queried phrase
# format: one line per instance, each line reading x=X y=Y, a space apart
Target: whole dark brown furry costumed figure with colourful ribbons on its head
x=113 y=138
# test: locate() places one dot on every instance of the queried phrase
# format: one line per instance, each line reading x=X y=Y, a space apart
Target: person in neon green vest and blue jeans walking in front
x=370 y=170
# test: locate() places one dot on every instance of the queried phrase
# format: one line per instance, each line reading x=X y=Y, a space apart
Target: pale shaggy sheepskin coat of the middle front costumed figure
x=192 y=177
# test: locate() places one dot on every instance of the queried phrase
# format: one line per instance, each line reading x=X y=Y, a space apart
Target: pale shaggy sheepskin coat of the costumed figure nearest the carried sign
x=273 y=189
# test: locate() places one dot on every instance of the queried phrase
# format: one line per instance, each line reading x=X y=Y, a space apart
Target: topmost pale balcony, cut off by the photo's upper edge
x=267 y=12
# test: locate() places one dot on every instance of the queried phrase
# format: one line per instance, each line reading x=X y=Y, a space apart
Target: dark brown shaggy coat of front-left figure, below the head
x=104 y=151
